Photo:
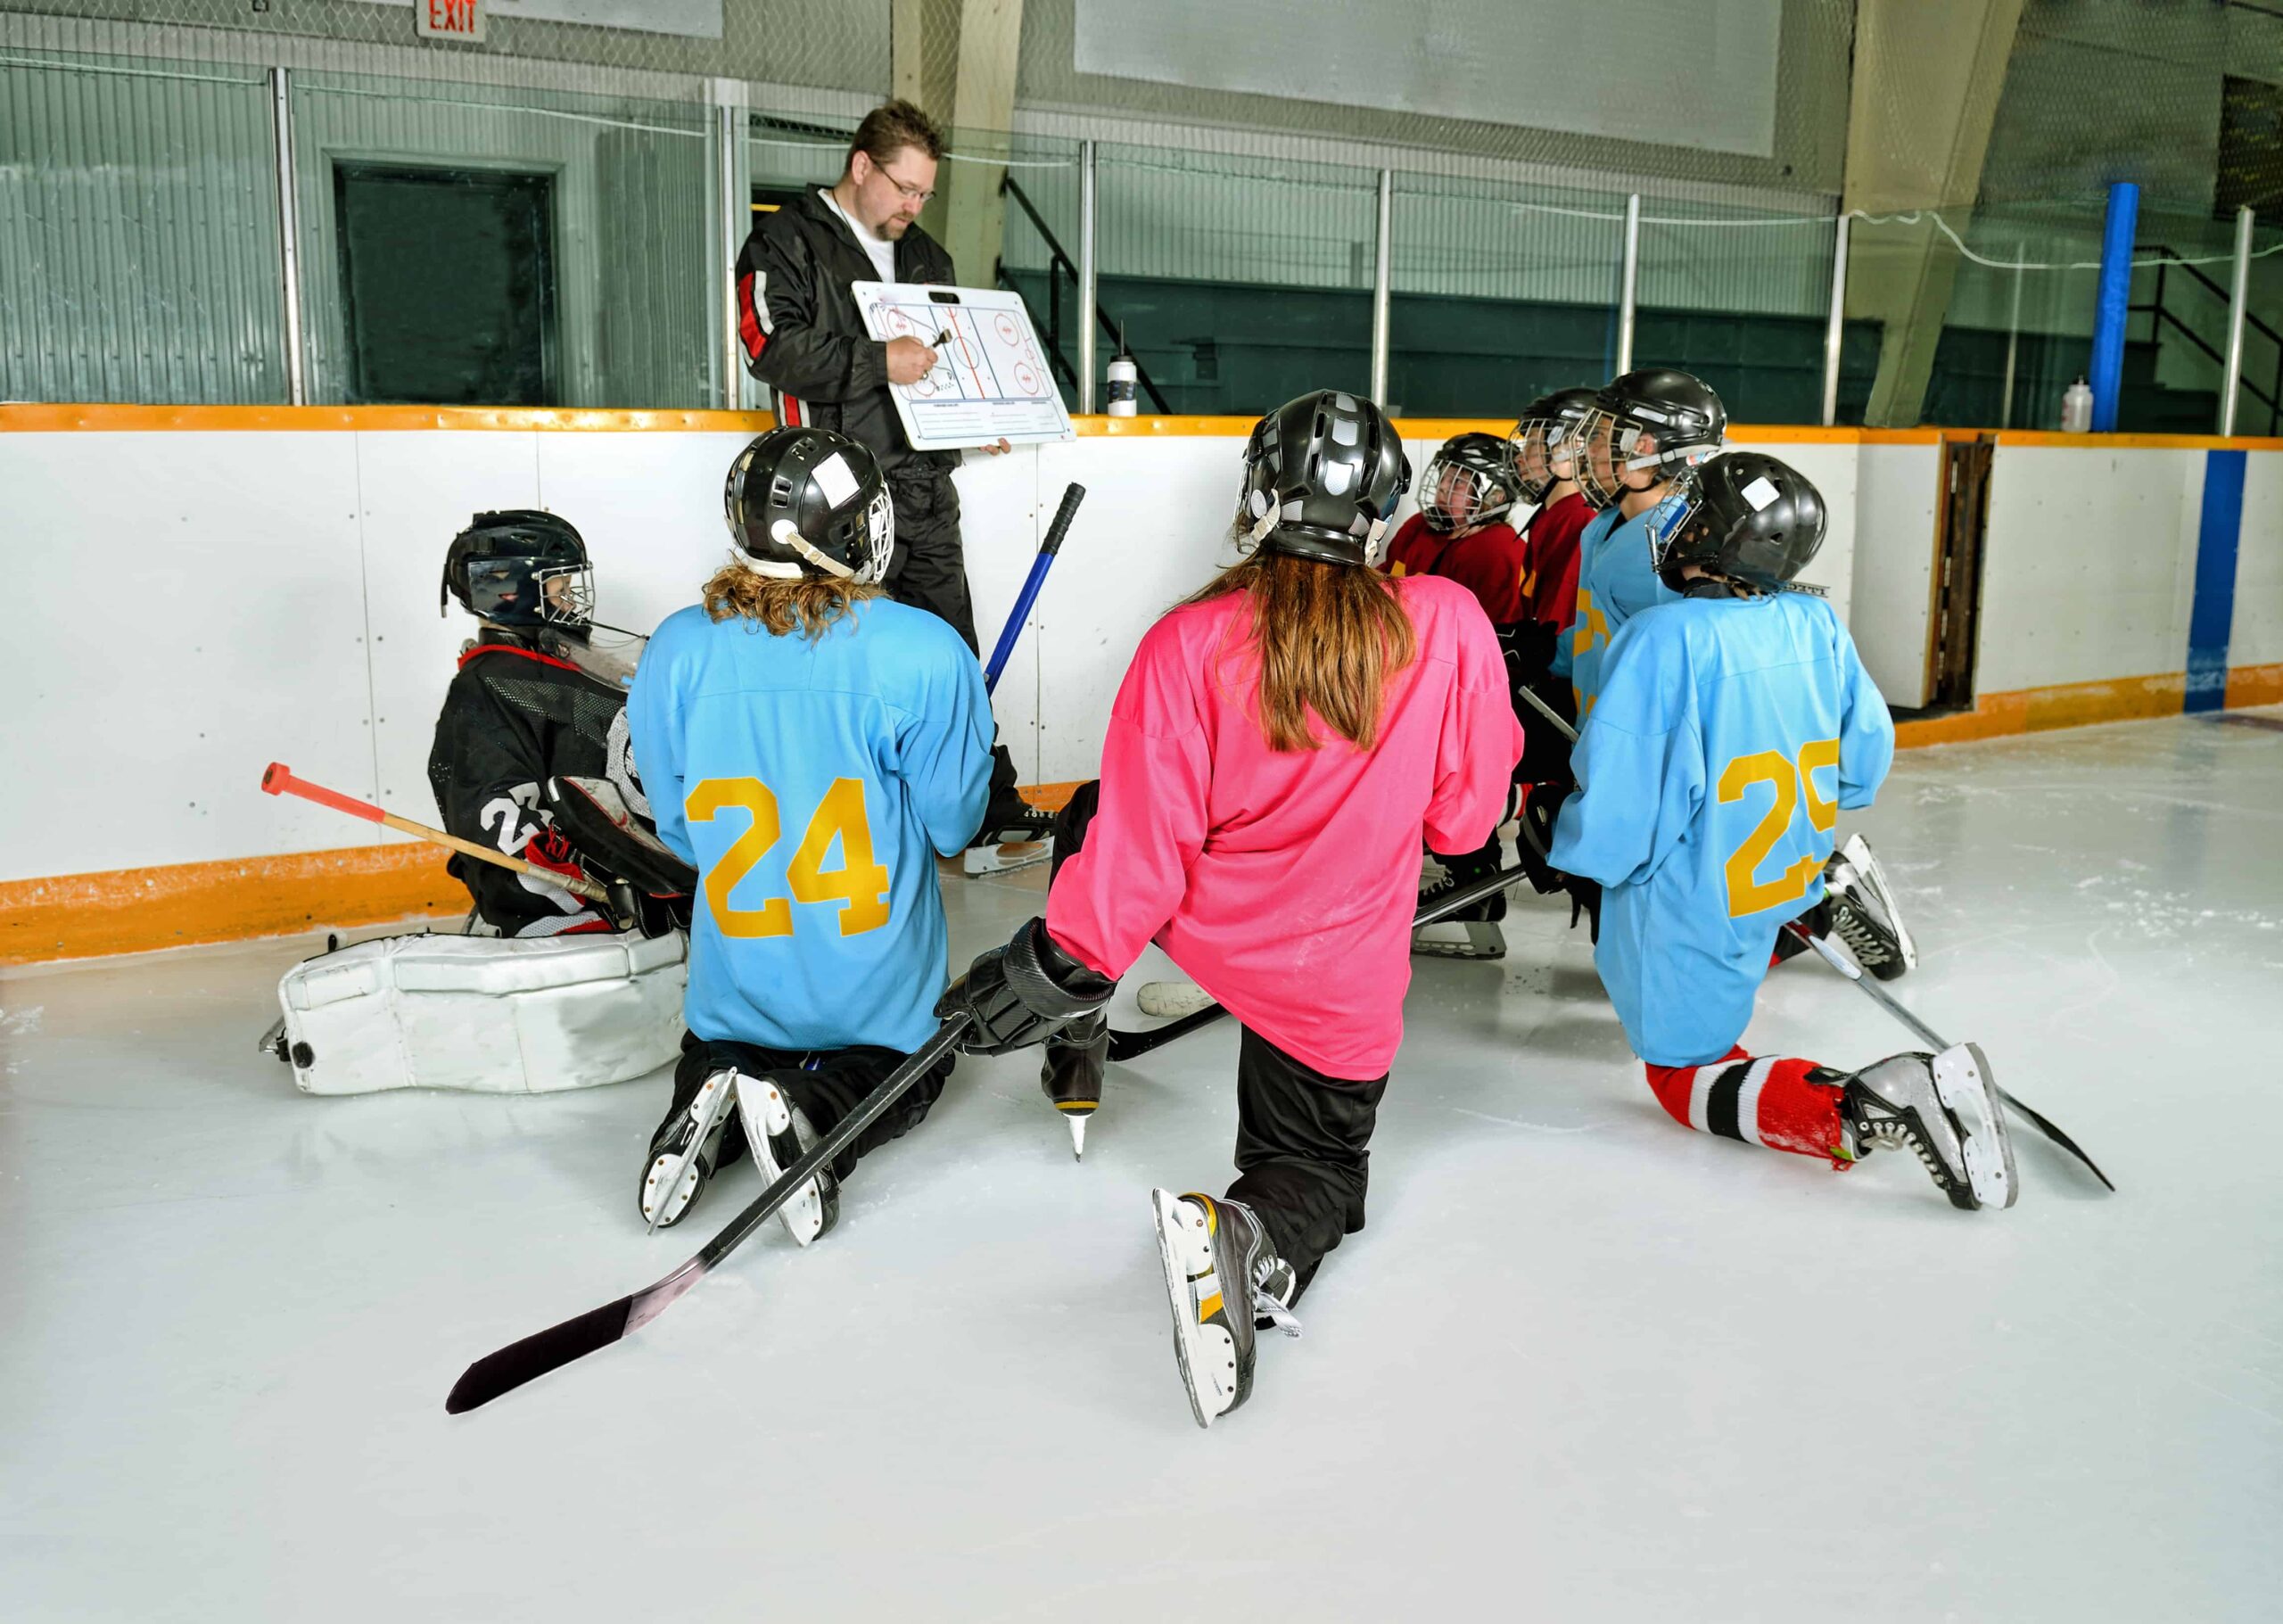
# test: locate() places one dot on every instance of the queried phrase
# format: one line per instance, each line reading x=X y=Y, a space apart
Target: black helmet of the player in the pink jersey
x=1323 y=474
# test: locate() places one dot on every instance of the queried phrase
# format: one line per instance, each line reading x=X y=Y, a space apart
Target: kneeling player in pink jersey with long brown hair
x=1273 y=757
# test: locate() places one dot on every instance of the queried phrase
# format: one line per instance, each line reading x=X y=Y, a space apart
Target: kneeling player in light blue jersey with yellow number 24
x=812 y=748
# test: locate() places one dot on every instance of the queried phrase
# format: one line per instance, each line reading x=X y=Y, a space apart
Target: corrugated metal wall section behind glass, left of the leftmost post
x=138 y=234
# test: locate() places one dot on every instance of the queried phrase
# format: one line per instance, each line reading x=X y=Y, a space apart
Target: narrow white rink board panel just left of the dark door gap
x=1894 y=570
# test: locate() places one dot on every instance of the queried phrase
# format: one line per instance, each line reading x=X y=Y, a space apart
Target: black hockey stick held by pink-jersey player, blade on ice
x=599 y=1328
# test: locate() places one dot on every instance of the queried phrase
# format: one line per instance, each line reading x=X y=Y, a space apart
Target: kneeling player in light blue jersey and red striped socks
x=1732 y=730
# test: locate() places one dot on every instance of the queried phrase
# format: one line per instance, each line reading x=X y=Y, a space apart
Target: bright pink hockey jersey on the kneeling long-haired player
x=1286 y=881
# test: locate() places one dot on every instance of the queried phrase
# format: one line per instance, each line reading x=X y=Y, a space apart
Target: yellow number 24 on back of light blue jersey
x=860 y=885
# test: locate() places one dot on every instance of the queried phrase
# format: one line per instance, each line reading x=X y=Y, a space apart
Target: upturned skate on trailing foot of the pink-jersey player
x=1213 y=1251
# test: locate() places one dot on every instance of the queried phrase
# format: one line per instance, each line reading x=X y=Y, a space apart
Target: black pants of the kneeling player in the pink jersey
x=1302 y=1139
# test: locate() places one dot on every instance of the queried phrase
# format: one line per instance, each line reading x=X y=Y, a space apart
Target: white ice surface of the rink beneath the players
x=1581 y=1367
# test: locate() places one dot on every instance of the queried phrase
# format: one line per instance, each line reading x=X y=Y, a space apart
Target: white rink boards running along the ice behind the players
x=284 y=595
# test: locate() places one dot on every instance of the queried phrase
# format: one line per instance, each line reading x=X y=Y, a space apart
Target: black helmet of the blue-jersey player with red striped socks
x=1745 y=517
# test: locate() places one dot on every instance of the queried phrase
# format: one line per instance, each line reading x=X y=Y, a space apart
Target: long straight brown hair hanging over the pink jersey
x=1330 y=638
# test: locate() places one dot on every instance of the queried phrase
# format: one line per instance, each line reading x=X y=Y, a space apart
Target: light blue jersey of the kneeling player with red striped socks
x=1727 y=741
